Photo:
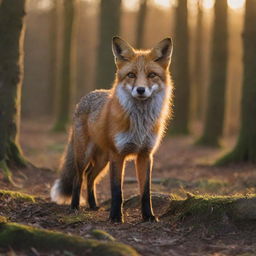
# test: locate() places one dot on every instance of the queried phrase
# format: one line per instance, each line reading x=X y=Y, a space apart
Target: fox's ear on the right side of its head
x=162 y=52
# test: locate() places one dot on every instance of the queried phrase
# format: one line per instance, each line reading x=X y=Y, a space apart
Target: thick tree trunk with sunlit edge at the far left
x=11 y=77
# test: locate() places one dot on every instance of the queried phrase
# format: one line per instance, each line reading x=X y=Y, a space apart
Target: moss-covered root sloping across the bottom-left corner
x=22 y=237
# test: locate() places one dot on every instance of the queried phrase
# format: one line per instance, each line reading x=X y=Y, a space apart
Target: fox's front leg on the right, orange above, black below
x=144 y=163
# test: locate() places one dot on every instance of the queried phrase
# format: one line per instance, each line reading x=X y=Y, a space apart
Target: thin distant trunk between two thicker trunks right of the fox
x=198 y=65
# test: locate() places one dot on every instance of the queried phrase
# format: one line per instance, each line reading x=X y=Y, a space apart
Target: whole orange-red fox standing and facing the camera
x=126 y=122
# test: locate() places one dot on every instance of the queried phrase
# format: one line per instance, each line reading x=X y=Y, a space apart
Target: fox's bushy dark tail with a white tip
x=62 y=188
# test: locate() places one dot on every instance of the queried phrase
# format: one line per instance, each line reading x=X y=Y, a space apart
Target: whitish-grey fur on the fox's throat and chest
x=143 y=116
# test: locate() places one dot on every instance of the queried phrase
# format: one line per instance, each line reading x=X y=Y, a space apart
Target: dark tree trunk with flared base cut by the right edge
x=245 y=150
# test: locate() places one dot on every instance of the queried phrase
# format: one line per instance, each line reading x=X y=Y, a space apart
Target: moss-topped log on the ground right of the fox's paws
x=213 y=208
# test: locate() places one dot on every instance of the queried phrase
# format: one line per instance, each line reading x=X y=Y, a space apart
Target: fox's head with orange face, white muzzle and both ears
x=142 y=74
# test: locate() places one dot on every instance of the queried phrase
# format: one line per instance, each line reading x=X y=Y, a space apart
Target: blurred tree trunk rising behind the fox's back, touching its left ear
x=109 y=24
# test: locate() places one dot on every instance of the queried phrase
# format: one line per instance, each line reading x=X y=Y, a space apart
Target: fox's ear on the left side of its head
x=121 y=50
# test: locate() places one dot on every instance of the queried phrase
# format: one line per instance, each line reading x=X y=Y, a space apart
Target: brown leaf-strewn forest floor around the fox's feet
x=181 y=171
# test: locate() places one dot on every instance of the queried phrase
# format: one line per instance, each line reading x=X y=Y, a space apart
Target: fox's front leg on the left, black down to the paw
x=116 y=180
